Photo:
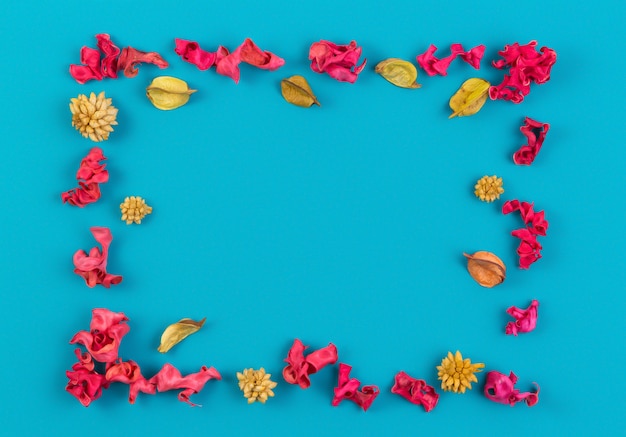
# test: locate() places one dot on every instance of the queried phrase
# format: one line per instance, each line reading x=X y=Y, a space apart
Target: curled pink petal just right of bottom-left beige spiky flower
x=299 y=367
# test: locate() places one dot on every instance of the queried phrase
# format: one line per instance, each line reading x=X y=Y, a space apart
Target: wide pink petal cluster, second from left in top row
x=227 y=63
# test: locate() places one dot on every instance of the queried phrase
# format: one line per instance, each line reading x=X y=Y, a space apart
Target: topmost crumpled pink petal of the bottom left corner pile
x=105 y=335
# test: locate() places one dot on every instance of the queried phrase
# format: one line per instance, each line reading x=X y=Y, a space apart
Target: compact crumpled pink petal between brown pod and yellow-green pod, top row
x=338 y=60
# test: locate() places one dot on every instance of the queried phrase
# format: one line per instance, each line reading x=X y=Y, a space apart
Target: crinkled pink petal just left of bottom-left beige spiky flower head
x=169 y=378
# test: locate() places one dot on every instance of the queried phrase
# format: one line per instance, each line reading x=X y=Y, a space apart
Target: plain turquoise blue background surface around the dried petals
x=342 y=224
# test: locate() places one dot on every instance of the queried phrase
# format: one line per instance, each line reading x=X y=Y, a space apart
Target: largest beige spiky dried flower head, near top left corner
x=93 y=116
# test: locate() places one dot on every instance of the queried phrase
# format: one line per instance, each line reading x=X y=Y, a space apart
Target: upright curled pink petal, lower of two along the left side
x=92 y=267
